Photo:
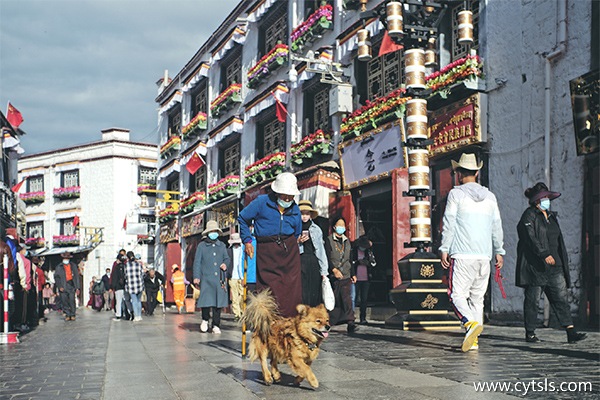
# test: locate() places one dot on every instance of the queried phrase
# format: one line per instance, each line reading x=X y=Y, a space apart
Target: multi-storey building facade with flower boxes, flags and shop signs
x=289 y=85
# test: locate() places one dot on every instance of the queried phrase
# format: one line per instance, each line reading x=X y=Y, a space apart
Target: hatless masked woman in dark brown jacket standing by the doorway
x=339 y=254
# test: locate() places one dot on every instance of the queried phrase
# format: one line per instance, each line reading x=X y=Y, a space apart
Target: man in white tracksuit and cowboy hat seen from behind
x=471 y=236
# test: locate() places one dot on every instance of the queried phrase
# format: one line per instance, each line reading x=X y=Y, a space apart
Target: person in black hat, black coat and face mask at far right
x=543 y=263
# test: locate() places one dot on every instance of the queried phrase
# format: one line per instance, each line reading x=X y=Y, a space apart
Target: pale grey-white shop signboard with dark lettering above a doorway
x=372 y=156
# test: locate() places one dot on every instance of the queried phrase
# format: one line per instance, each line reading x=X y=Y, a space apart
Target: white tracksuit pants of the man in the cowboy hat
x=467 y=283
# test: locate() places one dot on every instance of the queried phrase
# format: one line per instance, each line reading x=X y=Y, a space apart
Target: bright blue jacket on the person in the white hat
x=264 y=213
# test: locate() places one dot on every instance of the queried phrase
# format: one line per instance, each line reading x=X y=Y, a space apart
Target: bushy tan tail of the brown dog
x=261 y=312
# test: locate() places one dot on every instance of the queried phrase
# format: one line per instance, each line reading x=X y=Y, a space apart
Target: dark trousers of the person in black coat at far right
x=556 y=291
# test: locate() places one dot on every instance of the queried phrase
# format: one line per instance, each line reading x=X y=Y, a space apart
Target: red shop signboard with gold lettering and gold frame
x=457 y=125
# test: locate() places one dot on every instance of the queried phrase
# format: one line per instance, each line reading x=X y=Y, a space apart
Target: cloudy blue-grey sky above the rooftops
x=75 y=67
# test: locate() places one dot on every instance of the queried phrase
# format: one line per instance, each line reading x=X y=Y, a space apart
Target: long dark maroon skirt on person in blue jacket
x=278 y=268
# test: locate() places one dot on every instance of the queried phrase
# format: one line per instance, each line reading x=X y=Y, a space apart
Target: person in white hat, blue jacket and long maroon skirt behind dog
x=277 y=227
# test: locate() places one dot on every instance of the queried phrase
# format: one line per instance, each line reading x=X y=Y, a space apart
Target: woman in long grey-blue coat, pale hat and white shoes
x=210 y=271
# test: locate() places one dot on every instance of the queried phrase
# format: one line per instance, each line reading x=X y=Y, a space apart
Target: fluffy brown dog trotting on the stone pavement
x=292 y=340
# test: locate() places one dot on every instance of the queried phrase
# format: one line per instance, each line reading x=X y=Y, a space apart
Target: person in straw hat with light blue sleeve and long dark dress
x=312 y=255
